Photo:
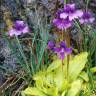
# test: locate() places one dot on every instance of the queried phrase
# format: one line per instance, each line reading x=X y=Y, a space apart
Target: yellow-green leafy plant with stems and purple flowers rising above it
x=65 y=77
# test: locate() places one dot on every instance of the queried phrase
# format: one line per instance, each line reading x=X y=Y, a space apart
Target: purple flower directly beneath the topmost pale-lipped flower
x=62 y=23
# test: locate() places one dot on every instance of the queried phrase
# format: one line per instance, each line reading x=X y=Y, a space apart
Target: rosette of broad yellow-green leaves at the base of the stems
x=56 y=80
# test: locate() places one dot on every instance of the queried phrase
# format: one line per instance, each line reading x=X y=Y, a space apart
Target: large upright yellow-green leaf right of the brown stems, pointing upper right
x=76 y=65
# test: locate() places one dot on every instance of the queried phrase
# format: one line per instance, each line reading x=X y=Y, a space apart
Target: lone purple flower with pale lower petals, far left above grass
x=19 y=27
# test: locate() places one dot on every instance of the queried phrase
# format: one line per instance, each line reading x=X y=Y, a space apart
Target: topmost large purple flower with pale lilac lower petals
x=71 y=12
